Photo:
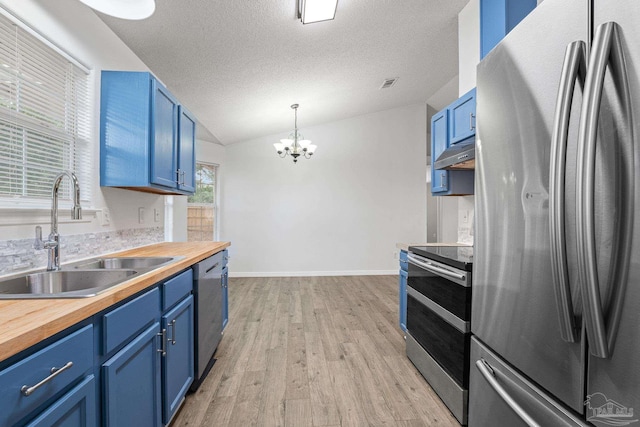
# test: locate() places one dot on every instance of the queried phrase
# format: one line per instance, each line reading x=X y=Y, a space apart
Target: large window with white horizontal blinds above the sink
x=44 y=117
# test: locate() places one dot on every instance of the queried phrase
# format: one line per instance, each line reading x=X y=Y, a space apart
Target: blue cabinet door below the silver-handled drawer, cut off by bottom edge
x=77 y=408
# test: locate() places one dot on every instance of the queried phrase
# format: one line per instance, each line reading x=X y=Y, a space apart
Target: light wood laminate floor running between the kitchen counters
x=313 y=351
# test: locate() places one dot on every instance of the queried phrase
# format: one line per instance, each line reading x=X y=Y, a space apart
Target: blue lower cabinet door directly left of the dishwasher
x=177 y=367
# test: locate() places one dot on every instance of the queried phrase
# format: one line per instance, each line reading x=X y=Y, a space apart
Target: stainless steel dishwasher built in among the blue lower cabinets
x=207 y=291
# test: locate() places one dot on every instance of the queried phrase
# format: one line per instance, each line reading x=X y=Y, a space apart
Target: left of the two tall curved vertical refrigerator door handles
x=574 y=69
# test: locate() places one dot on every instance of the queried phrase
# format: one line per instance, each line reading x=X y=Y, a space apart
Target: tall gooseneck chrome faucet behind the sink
x=52 y=244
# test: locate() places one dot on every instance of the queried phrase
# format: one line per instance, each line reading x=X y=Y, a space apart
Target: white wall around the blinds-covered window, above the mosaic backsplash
x=76 y=29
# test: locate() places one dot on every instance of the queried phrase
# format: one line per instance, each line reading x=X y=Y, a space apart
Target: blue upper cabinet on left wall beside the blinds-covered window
x=147 y=141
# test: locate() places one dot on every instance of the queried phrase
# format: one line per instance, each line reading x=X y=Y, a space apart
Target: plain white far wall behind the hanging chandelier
x=340 y=212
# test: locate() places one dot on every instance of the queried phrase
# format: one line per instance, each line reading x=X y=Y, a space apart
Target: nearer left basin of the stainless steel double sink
x=63 y=284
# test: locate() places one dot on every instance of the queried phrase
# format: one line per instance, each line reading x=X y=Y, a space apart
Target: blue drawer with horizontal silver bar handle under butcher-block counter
x=76 y=348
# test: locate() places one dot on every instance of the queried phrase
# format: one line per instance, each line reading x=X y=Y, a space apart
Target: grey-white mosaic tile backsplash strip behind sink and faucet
x=19 y=255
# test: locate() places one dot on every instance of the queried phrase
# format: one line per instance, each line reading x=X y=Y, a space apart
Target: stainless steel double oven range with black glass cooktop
x=439 y=321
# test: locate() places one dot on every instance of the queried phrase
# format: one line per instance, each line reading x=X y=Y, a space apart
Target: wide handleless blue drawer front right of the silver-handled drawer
x=123 y=323
